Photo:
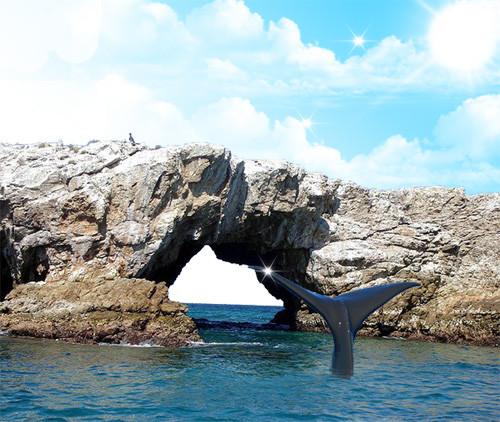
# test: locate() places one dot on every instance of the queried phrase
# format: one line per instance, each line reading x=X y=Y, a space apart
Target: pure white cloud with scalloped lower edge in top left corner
x=30 y=30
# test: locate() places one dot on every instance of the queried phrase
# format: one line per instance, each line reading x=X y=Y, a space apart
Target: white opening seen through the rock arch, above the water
x=206 y=279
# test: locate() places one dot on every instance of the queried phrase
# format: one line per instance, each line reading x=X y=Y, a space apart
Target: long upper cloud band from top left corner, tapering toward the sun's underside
x=146 y=40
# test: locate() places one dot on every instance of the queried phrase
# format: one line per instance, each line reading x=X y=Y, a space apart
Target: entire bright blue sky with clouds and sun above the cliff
x=418 y=104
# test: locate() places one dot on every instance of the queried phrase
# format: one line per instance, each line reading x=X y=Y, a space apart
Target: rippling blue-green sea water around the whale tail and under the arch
x=247 y=375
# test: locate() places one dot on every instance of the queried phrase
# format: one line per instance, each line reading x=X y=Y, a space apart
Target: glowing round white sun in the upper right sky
x=462 y=36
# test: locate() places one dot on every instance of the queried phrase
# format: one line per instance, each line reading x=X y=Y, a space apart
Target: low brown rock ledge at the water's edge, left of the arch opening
x=121 y=311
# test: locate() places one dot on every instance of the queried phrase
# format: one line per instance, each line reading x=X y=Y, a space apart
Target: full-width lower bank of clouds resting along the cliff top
x=468 y=137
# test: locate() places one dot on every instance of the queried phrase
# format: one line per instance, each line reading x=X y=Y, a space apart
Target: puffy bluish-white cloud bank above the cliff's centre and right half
x=397 y=162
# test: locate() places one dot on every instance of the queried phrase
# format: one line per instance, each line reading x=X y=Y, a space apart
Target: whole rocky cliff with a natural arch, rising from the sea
x=103 y=230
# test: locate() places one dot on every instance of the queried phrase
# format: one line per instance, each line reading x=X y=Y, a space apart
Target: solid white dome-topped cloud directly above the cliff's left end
x=79 y=111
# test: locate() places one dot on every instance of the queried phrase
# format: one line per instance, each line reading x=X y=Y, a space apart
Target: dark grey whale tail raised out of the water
x=343 y=314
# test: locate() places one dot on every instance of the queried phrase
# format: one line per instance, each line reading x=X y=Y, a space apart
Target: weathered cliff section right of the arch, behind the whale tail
x=445 y=240
